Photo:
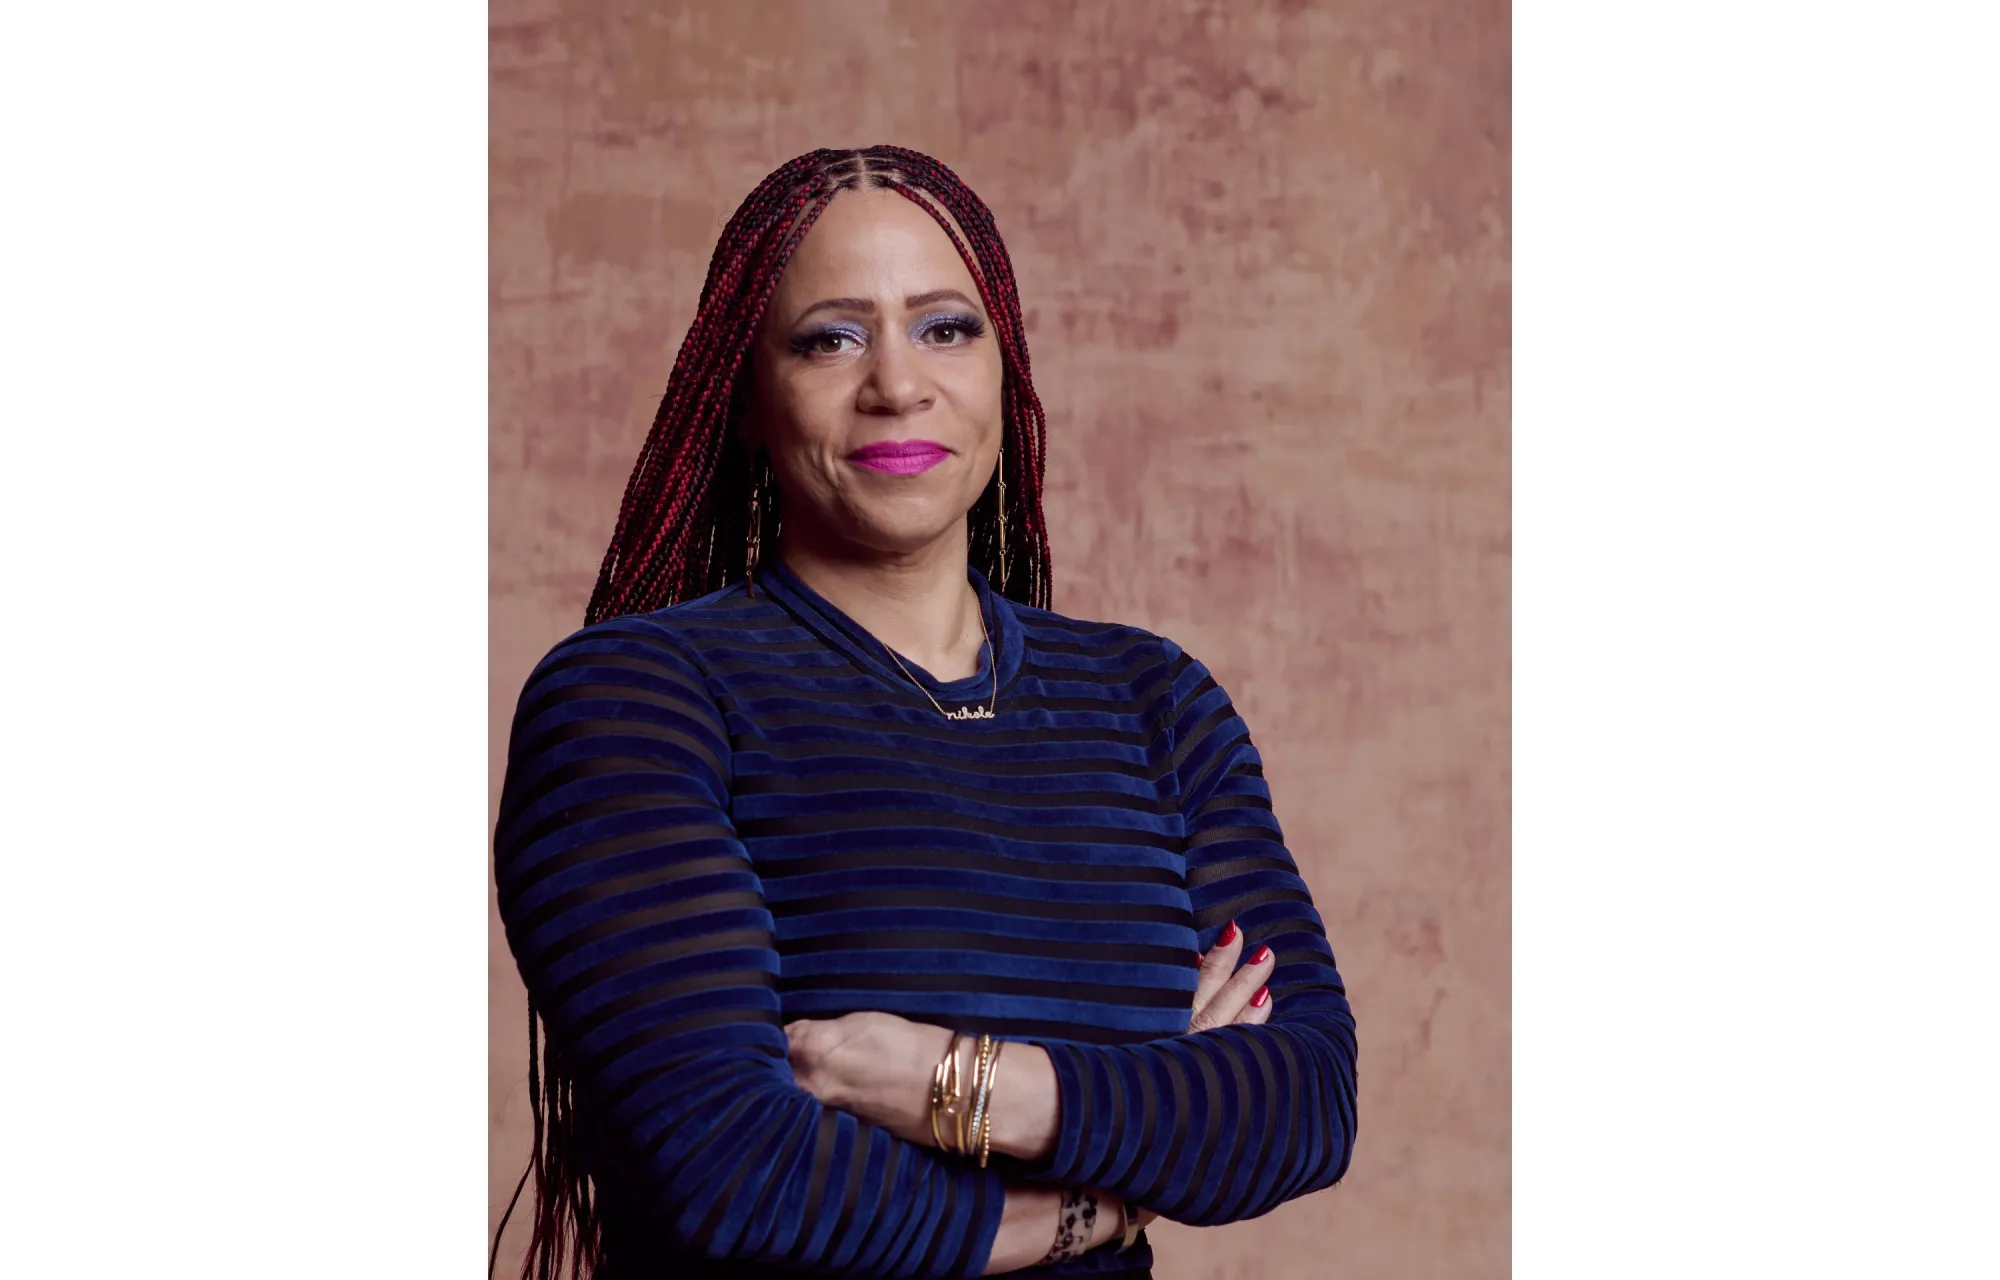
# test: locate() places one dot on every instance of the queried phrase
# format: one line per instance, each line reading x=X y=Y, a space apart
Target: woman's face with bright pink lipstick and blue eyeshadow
x=877 y=383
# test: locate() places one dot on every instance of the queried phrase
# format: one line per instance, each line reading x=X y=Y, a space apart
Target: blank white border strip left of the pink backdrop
x=245 y=507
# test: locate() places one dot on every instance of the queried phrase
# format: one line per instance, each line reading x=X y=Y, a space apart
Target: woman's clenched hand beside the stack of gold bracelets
x=875 y=1067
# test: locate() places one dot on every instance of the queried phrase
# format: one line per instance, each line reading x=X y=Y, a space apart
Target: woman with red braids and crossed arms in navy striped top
x=863 y=899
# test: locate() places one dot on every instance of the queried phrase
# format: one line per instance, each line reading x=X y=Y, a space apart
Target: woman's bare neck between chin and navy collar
x=917 y=603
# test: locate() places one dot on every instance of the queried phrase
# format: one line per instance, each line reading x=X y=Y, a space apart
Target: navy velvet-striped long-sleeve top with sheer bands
x=739 y=811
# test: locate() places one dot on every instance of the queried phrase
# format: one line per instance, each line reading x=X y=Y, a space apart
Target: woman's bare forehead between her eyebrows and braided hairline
x=873 y=245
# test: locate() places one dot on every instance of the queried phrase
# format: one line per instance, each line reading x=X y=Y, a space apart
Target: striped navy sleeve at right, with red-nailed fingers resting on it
x=1231 y=1123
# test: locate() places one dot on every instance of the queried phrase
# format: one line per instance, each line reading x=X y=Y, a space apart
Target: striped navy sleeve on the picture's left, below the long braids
x=643 y=935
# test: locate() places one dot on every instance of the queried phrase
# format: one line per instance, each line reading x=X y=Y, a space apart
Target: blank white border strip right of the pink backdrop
x=1757 y=633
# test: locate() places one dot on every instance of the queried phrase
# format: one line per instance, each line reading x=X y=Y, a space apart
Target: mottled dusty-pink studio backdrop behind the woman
x=1265 y=263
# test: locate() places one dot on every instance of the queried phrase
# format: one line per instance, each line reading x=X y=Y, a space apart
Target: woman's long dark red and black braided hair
x=685 y=527
